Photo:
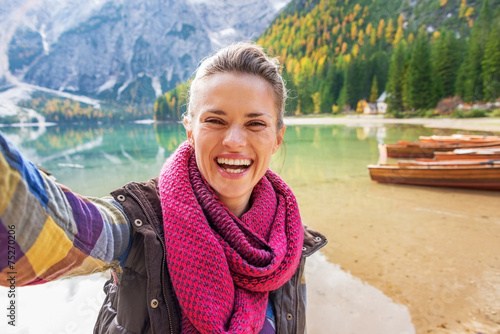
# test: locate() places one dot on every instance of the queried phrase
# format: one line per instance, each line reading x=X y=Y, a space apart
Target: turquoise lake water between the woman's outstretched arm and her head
x=82 y=156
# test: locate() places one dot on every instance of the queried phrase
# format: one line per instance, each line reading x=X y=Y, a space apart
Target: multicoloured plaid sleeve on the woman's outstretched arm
x=47 y=232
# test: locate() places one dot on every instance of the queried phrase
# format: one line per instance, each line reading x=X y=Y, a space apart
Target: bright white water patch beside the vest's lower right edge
x=358 y=308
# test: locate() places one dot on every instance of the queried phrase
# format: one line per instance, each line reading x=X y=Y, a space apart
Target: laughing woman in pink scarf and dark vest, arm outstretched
x=215 y=243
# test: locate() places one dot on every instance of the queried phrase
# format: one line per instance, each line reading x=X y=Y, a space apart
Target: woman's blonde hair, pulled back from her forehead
x=247 y=58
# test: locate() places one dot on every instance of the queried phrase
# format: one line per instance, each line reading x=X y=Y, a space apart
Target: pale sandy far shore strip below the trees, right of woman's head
x=486 y=124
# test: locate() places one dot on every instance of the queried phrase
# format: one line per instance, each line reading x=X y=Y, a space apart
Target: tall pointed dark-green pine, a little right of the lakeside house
x=420 y=74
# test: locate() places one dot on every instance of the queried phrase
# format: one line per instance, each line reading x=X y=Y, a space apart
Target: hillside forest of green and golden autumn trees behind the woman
x=338 y=52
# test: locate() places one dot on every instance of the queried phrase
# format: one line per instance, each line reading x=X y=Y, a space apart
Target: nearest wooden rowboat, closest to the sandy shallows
x=483 y=175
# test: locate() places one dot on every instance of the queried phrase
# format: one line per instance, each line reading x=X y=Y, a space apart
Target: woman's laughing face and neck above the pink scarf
x=234 y=134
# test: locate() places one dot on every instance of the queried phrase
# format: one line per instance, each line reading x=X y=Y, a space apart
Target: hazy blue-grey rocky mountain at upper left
x=120 y=50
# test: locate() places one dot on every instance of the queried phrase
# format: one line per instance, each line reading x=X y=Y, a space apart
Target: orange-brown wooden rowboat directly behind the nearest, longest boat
x=417 y=149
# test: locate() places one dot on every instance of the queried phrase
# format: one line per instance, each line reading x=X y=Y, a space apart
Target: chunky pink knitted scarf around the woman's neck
x=223 y=267
